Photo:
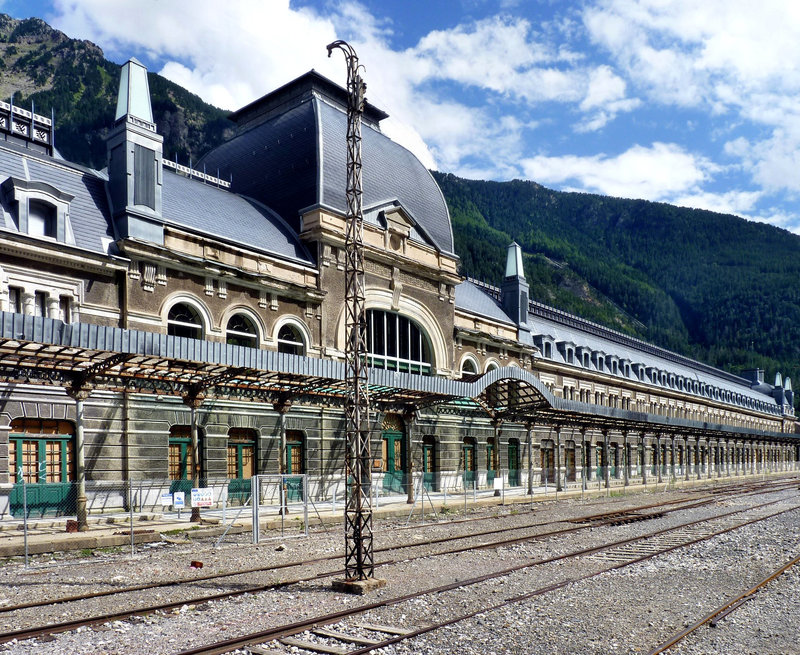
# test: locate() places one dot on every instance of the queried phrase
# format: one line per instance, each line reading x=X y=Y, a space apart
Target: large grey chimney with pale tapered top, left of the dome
x=135 y=159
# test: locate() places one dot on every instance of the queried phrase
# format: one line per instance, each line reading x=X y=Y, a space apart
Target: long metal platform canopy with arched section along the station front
x=43 y=351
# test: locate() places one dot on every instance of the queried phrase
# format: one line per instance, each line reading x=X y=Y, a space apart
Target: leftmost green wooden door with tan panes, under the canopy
x=44 y=462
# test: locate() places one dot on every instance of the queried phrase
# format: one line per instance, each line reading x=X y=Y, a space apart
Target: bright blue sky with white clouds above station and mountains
x=687 y=102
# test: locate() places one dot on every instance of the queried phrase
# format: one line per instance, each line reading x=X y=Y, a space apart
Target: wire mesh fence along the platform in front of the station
x=285 y=505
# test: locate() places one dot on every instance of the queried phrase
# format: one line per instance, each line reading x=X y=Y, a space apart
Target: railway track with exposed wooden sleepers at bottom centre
x=349 y=627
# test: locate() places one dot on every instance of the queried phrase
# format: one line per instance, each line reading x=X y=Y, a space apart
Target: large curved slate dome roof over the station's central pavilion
x=291 y=154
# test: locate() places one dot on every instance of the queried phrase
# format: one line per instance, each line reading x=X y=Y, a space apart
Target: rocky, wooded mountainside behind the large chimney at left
x=43 y=67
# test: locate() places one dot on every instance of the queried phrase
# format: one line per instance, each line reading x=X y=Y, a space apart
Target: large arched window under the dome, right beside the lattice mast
x=396 y=343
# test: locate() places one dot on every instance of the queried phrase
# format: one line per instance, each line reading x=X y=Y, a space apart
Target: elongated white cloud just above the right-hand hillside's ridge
x=656 y=173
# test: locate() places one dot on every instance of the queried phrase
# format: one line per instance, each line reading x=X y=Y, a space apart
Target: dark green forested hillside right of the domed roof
x=713 y=286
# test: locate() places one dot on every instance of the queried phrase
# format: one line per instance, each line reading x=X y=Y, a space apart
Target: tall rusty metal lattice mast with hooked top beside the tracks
x=359 y=563
